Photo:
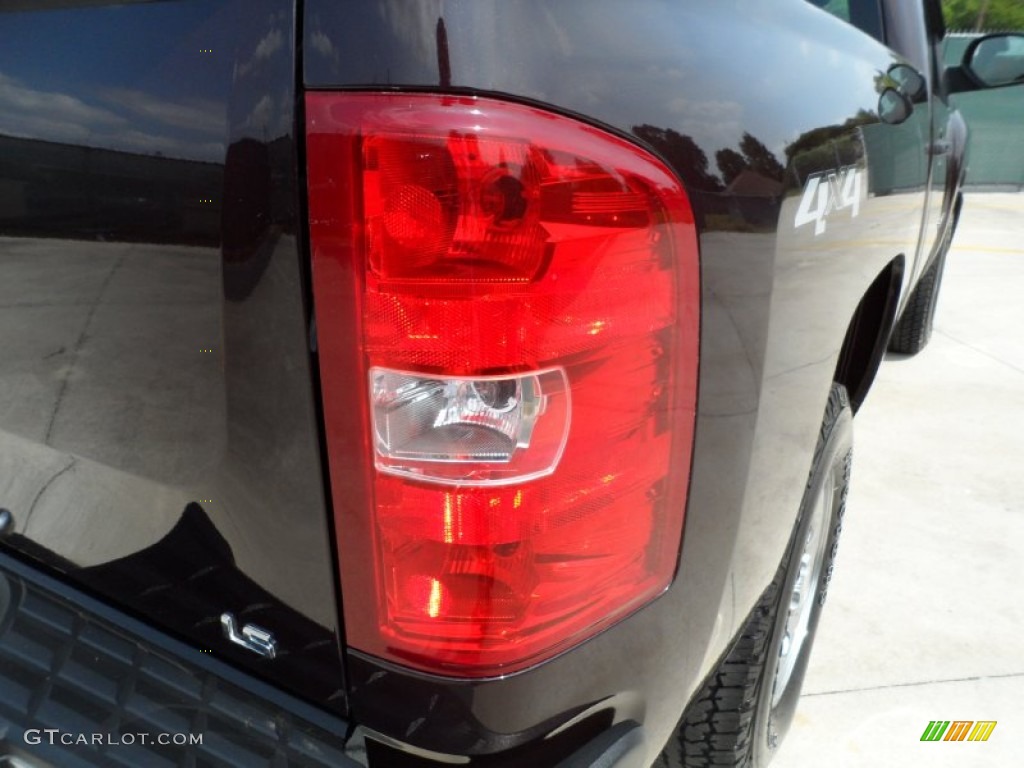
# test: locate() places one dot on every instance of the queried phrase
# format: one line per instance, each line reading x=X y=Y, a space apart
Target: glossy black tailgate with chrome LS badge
x=156 y=378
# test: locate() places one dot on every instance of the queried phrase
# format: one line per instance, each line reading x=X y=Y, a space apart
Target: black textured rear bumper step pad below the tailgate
x=84 y=686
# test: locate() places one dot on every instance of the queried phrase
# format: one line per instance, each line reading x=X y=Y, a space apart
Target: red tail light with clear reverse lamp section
x=507 y=310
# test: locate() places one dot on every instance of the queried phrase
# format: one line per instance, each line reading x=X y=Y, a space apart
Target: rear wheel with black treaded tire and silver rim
x=741 y=715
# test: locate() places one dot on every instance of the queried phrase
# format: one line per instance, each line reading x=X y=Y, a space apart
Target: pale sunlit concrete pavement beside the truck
x=926 y=613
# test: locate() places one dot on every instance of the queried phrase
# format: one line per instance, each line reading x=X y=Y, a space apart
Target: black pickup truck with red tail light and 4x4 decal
x=431 y=382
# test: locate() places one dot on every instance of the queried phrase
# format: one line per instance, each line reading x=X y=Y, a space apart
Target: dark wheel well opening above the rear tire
x=868 y=334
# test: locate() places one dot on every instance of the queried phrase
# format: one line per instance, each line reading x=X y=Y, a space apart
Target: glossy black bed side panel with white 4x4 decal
x=689 y=81
